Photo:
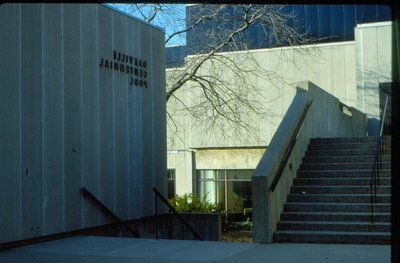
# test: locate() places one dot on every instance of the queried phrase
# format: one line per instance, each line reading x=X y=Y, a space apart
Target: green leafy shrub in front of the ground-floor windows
x=192 y=203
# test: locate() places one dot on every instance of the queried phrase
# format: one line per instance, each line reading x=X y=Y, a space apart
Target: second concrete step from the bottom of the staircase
x=334 y=226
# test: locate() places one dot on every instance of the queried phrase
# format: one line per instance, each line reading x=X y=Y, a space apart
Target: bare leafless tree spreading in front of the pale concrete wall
x=221 y=71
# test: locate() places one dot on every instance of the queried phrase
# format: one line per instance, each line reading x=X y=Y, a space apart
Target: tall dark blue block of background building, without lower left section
x=322 y=22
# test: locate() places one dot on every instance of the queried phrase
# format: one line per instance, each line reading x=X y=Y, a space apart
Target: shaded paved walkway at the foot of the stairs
x=110 y=249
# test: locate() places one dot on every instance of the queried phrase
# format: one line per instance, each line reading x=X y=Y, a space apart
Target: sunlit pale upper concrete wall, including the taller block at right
x=341 y=69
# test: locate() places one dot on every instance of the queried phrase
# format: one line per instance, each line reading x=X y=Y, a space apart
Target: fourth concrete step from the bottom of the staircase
x=335 y=207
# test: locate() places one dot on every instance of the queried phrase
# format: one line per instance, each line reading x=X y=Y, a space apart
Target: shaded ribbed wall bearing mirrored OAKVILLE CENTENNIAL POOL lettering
x=68 y=122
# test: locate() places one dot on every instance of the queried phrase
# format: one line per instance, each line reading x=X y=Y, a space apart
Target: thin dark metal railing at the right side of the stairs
x=377 y=162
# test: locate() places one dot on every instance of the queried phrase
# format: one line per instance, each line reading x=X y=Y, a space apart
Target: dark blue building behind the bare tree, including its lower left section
x=323 y=22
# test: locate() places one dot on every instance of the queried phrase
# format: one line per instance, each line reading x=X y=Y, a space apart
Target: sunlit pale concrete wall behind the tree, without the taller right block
x=331 y=66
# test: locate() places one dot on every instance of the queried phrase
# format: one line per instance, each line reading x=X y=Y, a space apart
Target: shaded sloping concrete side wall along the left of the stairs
x=327 y=117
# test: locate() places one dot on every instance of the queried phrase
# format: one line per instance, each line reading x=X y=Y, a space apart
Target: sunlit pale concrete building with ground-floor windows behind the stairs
x=217 y=163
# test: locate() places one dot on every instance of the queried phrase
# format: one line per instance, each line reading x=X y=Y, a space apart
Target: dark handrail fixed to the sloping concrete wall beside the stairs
x=289 y=149
